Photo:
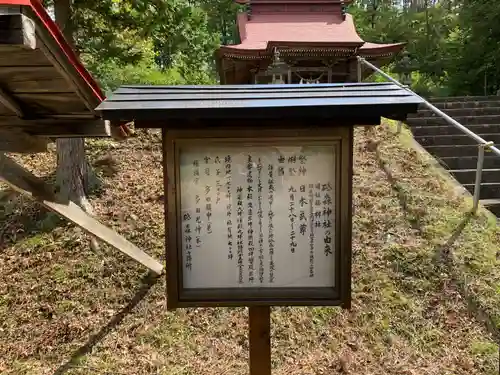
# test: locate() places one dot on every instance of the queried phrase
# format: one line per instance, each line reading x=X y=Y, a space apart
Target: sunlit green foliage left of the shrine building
x=161 y=42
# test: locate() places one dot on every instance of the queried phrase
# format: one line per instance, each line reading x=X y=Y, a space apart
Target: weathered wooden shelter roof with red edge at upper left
x=45 y=91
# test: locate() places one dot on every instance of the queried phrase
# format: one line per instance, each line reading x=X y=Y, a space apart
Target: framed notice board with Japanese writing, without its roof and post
x=258 y=219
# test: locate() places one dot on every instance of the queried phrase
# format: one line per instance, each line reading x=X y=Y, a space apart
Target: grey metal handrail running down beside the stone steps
x=482 y=143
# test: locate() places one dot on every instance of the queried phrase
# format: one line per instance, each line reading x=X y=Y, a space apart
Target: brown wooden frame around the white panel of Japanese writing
x=340 y=294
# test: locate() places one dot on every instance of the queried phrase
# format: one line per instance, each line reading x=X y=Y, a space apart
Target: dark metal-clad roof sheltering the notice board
x=148 y=104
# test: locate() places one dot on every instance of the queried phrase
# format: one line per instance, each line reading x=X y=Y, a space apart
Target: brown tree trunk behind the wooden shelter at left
x=74 y=176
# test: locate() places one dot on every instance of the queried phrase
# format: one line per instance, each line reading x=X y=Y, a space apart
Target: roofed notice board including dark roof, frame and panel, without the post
x=258 y=186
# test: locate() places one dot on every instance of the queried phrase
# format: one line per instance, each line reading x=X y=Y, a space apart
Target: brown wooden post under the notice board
x=260 y=340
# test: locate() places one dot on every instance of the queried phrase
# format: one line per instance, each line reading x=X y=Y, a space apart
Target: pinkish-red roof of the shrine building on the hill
x=311 y=24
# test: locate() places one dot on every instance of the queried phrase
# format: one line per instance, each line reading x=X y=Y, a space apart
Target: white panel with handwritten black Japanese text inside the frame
x=258 y=216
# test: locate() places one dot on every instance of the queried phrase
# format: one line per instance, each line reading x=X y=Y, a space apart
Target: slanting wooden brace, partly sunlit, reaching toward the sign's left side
x=26 y=183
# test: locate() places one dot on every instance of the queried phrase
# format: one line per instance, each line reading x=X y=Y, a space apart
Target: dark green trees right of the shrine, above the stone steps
x=453 y=43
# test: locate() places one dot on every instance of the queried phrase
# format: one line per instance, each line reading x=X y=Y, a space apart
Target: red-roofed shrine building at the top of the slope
x=297 y=41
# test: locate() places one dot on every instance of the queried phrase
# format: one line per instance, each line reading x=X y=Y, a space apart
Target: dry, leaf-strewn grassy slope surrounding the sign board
x=63 y=305
